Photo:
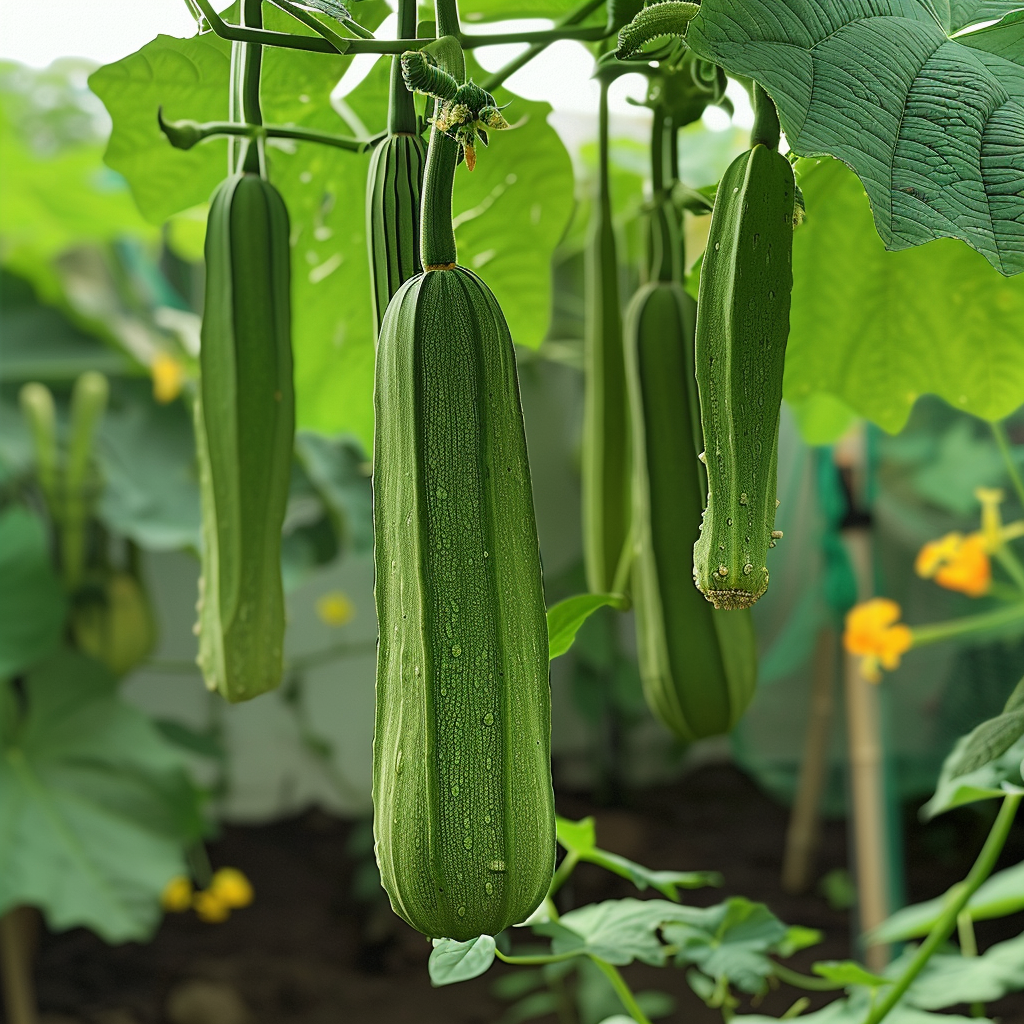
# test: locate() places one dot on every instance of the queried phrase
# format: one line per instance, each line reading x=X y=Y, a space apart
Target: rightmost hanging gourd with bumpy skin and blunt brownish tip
x=743 y=327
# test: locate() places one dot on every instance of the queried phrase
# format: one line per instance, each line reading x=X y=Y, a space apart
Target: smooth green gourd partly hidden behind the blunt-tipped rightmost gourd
x=698 y=665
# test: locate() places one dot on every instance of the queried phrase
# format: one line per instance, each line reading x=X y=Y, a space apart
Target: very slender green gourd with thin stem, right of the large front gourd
x=606 y=438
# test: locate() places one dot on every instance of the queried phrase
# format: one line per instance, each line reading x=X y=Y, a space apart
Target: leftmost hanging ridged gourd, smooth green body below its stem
x=245 y=421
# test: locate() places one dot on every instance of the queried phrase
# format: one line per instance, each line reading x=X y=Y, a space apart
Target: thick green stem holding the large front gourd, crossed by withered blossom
x=438 y=248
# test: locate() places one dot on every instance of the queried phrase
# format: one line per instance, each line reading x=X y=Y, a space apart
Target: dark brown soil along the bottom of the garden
x=309 y=952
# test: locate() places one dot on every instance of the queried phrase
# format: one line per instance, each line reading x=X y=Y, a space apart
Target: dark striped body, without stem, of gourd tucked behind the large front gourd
x=394 y=190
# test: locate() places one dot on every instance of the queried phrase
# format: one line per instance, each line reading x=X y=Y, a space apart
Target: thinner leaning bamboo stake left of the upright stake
x=805 y=821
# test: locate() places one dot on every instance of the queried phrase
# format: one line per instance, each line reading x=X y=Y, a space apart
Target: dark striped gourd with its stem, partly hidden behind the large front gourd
x=395 y=187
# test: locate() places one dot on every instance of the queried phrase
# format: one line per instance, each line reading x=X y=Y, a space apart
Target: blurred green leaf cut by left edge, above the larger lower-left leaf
x=32 y=603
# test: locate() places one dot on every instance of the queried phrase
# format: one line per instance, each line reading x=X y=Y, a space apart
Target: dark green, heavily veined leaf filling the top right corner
x=933 y=125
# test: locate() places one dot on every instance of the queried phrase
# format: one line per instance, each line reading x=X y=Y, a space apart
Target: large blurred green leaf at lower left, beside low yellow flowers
x=97 y=807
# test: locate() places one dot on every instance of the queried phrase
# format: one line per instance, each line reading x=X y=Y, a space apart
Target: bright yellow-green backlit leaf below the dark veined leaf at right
x=877 y=329
